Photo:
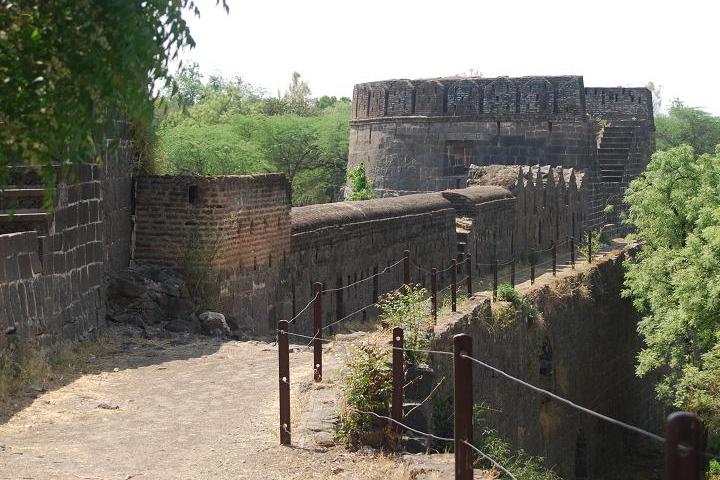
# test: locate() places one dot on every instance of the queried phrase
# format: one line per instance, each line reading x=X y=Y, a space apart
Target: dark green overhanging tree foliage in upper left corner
x=66 y=65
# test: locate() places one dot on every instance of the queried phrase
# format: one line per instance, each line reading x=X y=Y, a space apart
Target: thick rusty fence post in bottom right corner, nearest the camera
x=684 y=444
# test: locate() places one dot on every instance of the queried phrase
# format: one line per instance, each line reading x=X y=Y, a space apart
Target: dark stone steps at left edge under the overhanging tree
x=21 y=203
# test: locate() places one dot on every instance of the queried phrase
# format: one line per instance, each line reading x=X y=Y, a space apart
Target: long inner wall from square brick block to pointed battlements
x=267 y=256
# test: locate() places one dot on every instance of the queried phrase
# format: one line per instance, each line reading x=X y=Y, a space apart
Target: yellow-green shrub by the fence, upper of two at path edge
x=409 y=308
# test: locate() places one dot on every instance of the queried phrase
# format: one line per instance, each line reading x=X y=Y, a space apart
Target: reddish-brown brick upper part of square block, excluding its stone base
x=246 y=216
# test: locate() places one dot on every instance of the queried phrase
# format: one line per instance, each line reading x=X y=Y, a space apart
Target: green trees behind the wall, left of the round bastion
x=304 y=138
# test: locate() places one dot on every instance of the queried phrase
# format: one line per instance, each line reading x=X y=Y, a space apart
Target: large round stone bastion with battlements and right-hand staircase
x=423 y=135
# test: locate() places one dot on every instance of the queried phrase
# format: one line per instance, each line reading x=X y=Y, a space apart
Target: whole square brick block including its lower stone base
x=241 y=223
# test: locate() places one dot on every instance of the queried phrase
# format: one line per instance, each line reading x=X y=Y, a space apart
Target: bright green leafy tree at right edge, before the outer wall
x=675 y=278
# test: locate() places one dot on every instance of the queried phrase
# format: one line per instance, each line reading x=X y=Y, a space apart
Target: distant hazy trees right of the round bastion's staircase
x=686 y=125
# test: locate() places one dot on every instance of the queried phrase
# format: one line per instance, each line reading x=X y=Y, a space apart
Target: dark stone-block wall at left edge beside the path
x=53 y=277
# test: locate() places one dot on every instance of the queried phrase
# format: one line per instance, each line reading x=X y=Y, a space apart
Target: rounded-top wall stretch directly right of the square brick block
x=338 y=244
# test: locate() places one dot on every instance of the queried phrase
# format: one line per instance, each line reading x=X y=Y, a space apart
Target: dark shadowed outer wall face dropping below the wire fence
x=579 y=311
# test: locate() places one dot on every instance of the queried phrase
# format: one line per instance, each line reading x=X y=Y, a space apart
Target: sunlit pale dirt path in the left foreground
x=203 y=410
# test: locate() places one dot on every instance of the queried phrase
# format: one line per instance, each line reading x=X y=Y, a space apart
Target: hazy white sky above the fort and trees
x=335 y=44
